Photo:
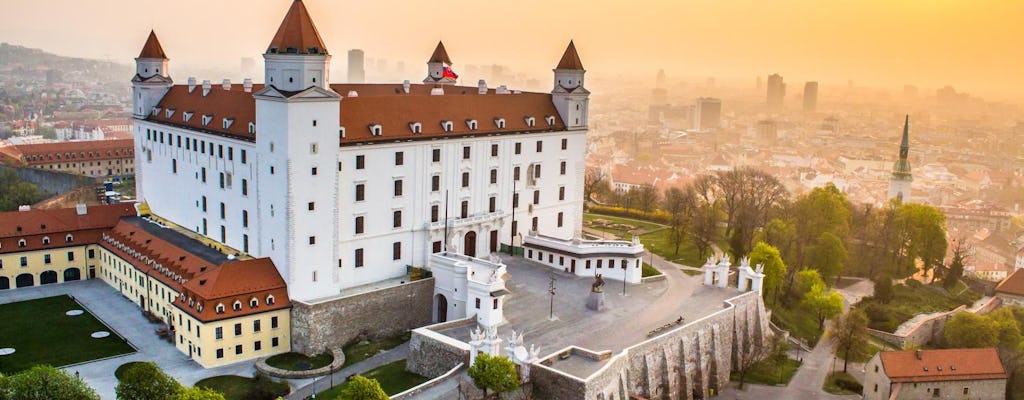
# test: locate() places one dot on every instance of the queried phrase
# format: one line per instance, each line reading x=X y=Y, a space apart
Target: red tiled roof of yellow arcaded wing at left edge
x=33 y=226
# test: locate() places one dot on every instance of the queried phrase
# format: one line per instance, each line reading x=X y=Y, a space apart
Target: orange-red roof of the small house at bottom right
x=949 y=365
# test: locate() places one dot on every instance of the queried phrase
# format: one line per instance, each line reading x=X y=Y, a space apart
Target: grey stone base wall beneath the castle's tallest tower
x=333 y=324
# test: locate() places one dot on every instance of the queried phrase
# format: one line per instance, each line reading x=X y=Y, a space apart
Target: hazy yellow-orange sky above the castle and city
x=975 y=46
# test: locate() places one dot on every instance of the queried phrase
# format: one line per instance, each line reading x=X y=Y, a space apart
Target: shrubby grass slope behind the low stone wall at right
x=910 y=301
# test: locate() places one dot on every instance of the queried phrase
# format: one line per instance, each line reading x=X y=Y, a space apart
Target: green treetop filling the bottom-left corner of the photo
x=46 y=383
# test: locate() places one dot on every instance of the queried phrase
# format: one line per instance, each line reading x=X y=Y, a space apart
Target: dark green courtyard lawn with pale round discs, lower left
x=41 y=334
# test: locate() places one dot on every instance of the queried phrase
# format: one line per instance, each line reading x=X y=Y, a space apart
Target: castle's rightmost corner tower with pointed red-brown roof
x=570 y=96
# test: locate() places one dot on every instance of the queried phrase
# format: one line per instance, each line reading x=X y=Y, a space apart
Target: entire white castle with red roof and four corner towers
x=349 y=185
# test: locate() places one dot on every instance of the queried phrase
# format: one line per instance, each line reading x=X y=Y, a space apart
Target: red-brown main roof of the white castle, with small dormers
x=387 y=105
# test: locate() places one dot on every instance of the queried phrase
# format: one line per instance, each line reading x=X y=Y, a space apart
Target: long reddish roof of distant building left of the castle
x=71 y=152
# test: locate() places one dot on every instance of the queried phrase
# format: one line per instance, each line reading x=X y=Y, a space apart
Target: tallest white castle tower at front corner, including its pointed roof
x=297 y=126
